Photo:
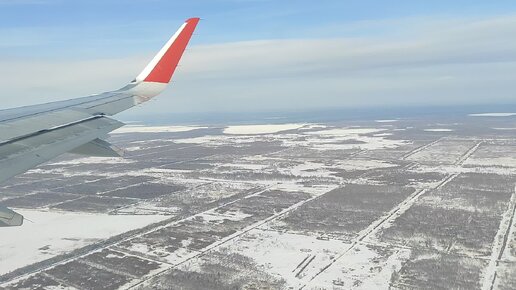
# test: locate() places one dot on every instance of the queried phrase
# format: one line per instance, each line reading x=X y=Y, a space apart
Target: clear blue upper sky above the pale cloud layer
x=144 y=22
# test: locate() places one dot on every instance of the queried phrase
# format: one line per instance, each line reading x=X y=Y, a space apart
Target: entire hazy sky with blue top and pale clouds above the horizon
x=264 y=55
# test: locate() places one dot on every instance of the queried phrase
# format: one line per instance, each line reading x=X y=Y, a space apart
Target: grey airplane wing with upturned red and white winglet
x=32 y=135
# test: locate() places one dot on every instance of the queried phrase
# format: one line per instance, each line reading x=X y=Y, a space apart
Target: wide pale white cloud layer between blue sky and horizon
x=436 y=62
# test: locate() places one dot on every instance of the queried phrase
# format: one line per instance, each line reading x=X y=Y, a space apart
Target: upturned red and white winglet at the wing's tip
x=164 y=64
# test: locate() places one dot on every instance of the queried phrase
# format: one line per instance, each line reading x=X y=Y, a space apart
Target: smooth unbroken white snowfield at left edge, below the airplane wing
x=54 y=233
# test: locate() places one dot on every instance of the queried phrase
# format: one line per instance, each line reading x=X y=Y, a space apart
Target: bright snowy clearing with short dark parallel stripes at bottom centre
x=285 y=254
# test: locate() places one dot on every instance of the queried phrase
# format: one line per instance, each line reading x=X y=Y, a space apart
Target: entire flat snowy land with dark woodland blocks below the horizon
x=386 y=203
